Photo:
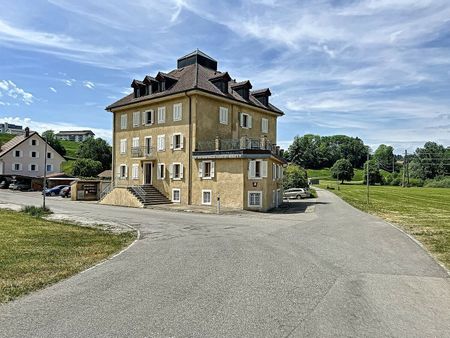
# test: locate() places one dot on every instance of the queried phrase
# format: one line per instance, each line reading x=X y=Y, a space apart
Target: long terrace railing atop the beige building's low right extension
x=242 y=143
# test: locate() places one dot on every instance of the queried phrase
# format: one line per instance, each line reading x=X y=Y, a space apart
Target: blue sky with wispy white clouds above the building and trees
x=376 y=69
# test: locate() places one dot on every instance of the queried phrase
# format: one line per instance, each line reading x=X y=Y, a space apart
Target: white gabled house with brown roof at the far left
x=24 y=156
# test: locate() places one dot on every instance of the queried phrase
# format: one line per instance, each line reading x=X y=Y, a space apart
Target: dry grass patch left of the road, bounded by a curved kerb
x=35 y=253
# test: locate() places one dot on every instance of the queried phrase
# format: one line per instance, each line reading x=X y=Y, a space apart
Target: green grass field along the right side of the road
x=421 y=212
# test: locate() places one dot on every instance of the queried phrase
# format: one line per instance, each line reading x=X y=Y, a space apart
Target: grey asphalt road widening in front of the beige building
x=332 y=271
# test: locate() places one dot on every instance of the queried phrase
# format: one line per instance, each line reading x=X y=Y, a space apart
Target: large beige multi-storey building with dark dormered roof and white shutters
x=194 y=136
